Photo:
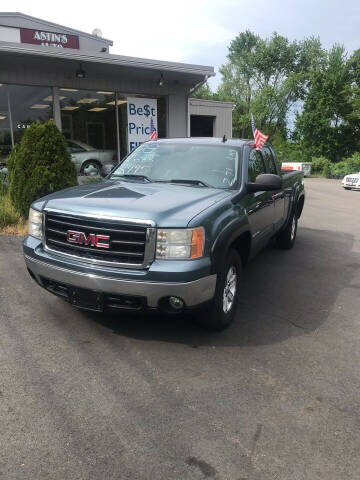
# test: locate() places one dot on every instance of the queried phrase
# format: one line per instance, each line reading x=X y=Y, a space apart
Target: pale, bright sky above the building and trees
x=199 y=31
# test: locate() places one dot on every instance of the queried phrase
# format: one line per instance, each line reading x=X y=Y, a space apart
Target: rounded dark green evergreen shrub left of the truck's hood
x=39 y=165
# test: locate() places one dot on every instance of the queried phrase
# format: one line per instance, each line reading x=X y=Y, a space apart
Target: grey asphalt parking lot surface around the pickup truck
x=276 y=396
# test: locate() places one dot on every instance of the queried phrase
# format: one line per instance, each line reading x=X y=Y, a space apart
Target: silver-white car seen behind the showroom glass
x=89 y=161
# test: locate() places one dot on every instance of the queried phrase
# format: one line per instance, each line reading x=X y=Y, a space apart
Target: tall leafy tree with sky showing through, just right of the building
x=267 y=77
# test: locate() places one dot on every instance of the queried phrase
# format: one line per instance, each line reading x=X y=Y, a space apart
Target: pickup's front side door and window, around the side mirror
x=260 y=207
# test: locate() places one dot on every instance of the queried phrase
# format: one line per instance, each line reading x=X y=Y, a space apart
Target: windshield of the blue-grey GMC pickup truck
x=213 y=166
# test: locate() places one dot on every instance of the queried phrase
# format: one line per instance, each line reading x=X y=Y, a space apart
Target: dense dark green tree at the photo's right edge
x=329 y=122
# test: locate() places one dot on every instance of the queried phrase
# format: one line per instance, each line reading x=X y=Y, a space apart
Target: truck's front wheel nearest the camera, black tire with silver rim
x=221 y=311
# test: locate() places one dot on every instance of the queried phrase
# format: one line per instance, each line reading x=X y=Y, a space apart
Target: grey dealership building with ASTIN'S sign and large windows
x=104 y=100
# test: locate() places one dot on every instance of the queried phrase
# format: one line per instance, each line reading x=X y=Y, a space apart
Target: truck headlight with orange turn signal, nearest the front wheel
x=182 y=243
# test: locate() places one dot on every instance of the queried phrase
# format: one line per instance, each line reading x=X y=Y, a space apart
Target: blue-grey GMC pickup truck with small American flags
x=170 y=228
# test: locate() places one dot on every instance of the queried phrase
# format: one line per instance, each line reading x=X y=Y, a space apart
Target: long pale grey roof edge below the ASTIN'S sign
x=106 y=58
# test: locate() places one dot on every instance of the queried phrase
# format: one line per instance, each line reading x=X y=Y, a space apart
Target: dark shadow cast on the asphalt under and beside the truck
x=284 y=294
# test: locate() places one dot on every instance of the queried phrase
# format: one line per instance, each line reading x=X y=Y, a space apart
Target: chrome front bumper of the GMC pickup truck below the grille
x=193 y=293
